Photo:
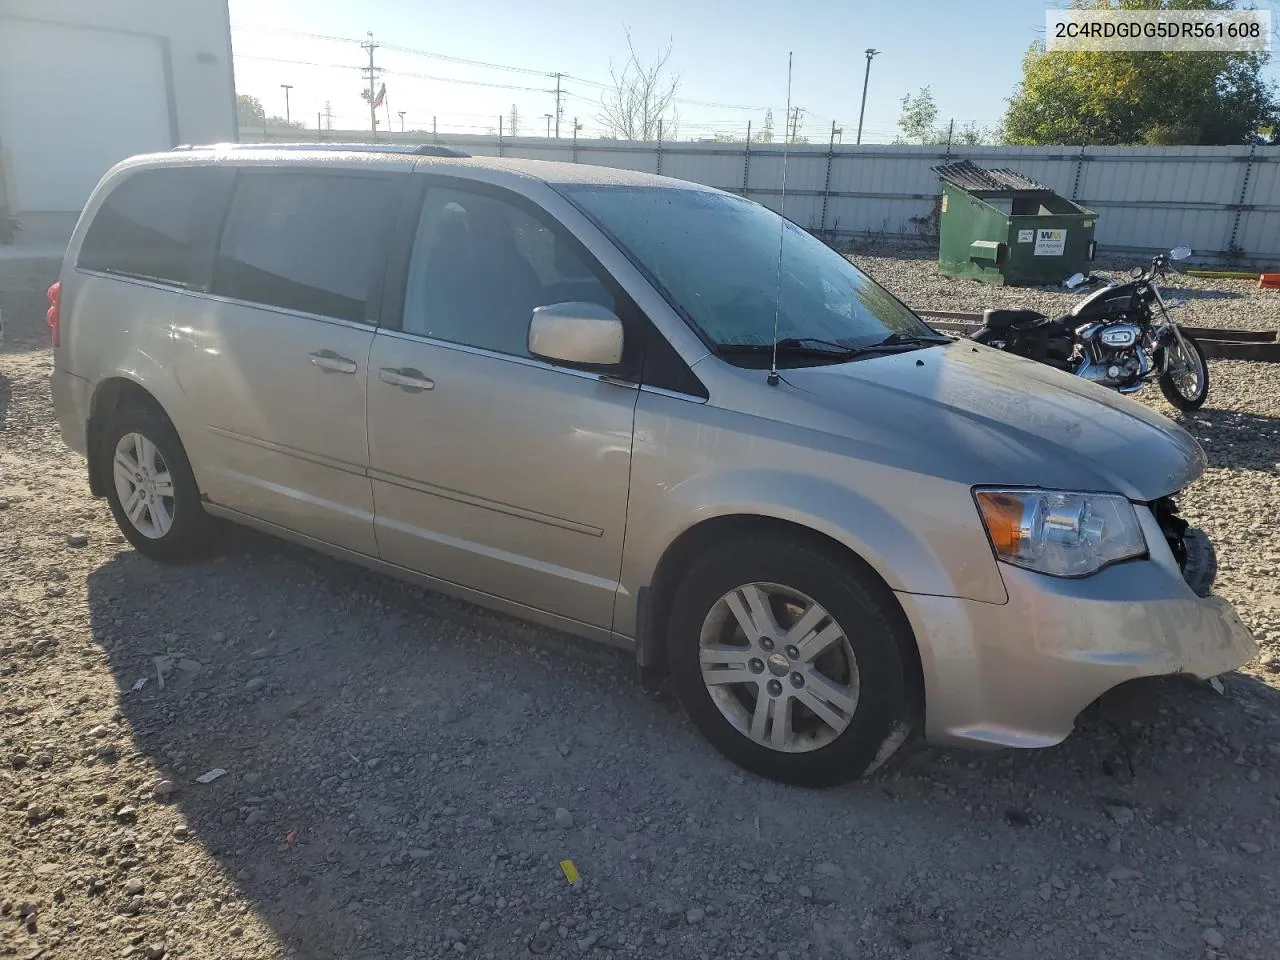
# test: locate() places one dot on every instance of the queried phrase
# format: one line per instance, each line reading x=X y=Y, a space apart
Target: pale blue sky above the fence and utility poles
x=732 y=60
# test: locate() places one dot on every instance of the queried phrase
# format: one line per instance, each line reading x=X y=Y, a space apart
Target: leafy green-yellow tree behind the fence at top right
x=1114 y=99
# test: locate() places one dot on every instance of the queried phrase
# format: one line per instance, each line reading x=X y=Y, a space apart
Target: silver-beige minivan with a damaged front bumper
x=638 y=410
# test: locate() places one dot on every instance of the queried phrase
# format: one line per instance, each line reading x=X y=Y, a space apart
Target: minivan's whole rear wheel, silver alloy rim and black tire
x=152 y=490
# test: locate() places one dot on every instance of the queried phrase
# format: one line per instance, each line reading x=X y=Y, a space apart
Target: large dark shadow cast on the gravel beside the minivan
x=395 y=762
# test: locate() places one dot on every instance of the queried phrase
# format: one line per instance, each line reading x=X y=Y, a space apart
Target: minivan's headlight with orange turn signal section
x=1060 y=534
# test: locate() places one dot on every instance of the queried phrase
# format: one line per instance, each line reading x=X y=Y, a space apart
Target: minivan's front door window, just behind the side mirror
x=482 y=264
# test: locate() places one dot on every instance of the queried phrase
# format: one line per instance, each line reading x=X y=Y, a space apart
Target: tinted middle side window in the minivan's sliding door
x=304 y=241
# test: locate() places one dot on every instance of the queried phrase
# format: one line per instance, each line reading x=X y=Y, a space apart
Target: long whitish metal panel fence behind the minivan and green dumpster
x=1222 y=202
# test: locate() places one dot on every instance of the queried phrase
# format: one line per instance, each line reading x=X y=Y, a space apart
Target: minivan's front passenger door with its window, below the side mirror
x=493 y=470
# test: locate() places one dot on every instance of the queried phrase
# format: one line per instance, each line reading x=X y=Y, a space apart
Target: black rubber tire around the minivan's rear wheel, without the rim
x=193 y=533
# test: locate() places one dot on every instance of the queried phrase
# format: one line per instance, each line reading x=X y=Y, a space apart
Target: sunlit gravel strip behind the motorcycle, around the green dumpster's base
x=912 y=275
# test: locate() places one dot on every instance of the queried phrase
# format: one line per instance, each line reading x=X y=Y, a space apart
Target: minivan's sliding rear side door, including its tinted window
x=276 y=360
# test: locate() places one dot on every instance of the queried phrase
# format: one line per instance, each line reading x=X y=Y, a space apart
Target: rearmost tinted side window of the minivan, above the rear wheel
x=161 y=226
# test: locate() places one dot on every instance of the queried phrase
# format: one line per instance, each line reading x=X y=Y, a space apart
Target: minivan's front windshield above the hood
x=716 y=259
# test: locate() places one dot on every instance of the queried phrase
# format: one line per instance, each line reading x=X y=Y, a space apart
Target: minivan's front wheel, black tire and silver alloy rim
x=789 y=660
